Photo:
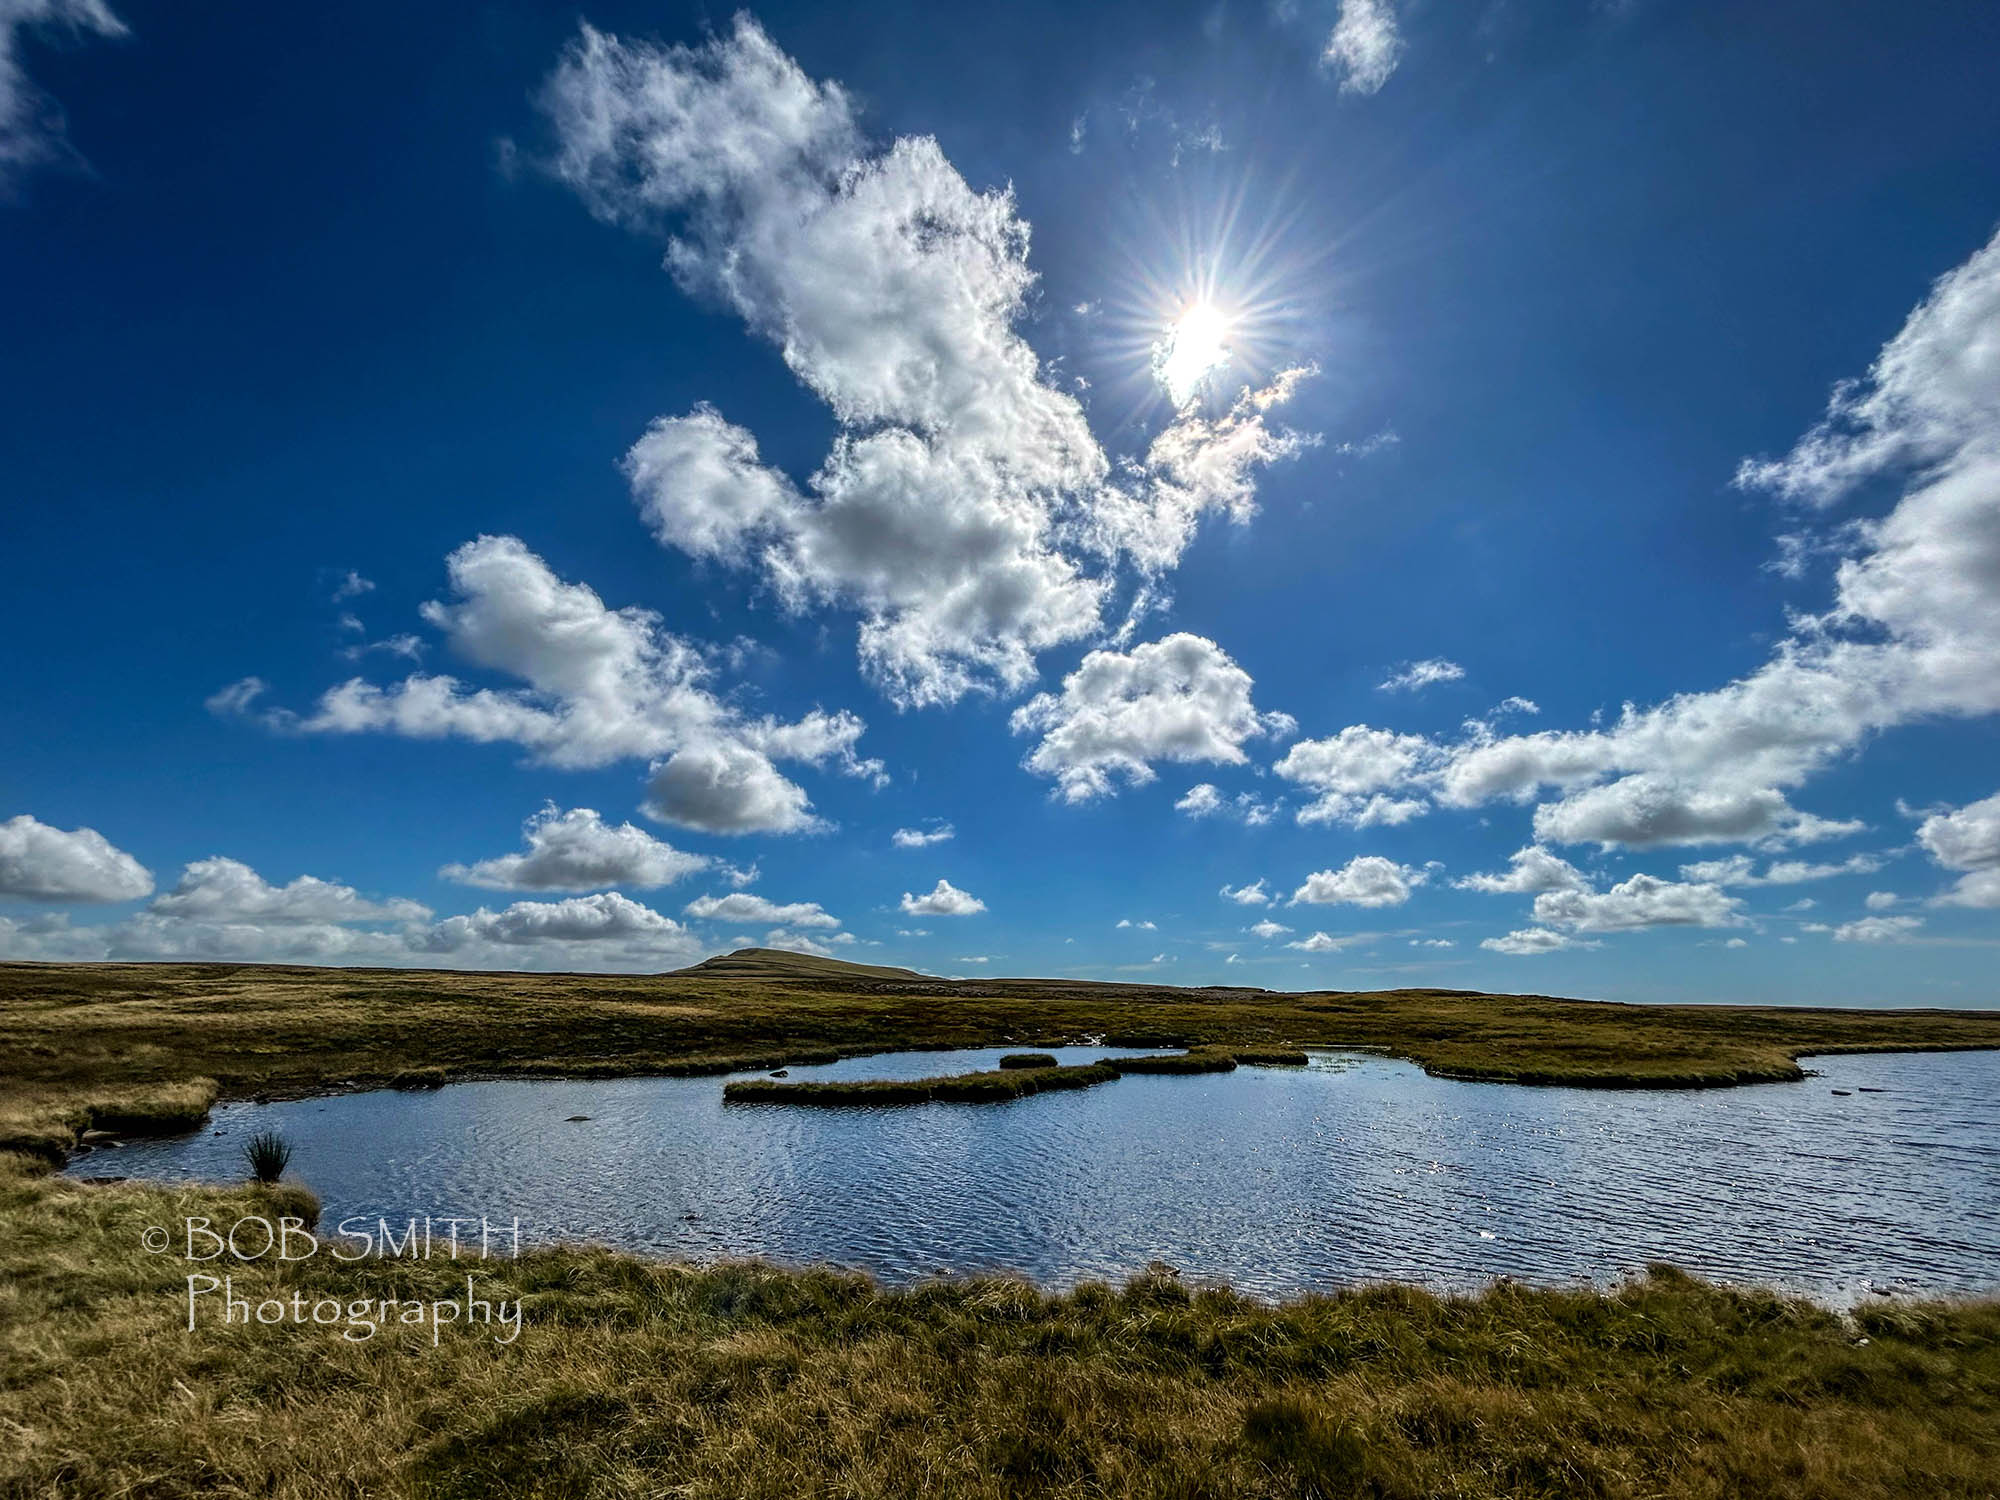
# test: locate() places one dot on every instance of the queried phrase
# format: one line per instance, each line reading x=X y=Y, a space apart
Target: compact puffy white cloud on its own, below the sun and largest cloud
x=1179 y=699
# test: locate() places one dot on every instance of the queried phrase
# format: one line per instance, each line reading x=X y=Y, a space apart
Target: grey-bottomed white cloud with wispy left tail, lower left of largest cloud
x=601 y=687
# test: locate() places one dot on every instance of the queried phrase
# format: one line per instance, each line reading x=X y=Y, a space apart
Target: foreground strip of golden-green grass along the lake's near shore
x=747 y=1383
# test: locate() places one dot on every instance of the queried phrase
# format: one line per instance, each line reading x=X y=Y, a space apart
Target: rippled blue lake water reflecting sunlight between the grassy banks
x=1277 y=1181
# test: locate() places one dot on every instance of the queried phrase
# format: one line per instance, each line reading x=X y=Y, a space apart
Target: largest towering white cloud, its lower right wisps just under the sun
x=965 y=499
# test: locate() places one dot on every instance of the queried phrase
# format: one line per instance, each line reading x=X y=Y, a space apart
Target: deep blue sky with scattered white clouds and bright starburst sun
x=1347 y=495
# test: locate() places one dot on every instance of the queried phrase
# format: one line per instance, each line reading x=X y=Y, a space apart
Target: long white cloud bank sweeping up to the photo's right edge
x=1911 y=635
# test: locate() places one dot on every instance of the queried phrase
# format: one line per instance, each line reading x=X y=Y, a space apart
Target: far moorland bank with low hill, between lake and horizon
x=81 y=1043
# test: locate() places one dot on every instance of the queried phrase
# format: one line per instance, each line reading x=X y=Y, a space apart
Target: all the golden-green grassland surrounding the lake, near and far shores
x=649 y=1379
